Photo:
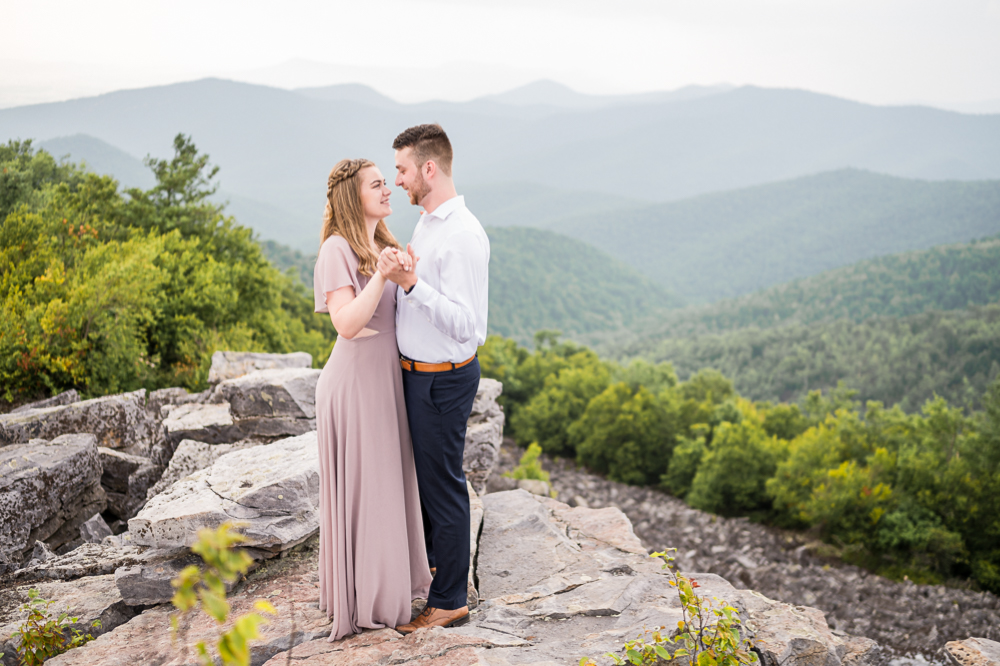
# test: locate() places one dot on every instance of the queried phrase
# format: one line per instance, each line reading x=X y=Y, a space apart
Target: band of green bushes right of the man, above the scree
x=915 y=494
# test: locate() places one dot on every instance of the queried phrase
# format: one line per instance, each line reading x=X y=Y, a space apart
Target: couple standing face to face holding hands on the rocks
x=393 y=400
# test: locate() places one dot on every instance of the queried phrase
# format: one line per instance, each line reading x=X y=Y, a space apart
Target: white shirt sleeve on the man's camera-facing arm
x=452 y=310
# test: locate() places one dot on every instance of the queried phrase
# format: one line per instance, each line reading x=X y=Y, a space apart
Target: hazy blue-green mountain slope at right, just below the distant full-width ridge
x=732 y=243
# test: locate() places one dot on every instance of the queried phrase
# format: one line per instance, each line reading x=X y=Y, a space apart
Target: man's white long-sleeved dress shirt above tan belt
x=443 y=318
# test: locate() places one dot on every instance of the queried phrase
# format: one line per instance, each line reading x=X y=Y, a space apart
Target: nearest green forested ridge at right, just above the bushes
x=904 y=361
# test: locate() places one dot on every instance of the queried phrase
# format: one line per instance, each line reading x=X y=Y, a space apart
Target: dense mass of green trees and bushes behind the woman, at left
x=108 y=291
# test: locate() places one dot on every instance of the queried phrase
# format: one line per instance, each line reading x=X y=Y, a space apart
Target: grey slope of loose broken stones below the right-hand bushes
x=899 y=615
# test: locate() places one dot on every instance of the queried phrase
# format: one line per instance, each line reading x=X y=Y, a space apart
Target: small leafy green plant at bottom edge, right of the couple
x=708 y=633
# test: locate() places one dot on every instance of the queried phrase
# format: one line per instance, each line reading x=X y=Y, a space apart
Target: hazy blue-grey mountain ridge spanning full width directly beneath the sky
x=277 y=146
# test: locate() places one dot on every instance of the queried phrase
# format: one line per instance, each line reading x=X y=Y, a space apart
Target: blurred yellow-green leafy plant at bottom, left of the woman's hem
x=207 y=588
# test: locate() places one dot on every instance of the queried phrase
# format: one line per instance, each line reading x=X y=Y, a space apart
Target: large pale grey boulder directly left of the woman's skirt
x=273 y=490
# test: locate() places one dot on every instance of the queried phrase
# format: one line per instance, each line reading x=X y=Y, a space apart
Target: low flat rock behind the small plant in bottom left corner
x=89 y=599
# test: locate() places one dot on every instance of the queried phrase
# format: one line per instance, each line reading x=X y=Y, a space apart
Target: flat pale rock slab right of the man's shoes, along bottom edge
x=560 y=583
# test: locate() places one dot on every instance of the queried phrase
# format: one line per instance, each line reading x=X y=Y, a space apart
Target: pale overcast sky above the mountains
x=881 y=51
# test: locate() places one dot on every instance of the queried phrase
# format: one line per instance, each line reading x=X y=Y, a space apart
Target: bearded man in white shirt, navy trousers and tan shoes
x=440 y=322
